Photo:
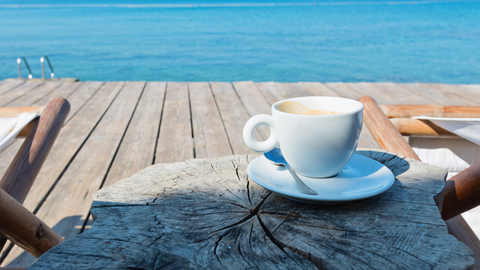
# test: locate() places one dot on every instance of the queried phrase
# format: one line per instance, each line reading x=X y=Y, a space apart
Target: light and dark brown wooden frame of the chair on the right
x=461 y=192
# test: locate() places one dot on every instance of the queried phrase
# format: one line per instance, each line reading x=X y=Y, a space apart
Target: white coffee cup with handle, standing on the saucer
x=317 y=146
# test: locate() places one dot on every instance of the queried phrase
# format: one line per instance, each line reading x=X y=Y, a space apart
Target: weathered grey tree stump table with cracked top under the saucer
x=207 y=213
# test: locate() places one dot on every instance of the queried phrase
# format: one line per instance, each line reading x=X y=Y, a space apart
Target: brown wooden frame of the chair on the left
x=18 y=224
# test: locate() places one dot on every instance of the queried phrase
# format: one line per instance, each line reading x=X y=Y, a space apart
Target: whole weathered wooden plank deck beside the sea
x=115 y=129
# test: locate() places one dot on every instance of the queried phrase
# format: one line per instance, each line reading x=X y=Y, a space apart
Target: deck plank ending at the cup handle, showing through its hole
x=254 y=103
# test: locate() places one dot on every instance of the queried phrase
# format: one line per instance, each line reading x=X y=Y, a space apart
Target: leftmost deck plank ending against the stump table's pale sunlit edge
x=138 y=146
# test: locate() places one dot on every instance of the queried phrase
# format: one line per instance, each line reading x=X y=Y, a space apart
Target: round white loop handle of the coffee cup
x=252 y=124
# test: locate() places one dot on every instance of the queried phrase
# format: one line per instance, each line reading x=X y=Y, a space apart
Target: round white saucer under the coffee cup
x=361 y=178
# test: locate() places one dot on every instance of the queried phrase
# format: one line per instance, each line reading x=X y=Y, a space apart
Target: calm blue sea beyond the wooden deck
x=285 y=41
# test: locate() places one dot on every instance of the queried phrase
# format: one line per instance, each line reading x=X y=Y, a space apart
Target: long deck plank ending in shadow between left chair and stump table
x=68 y=205
